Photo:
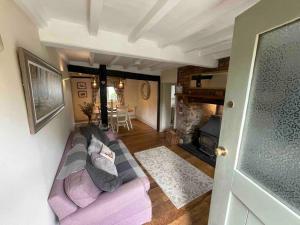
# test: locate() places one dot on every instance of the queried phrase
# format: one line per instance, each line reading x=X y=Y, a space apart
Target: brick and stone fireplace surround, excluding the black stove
x=192 y=113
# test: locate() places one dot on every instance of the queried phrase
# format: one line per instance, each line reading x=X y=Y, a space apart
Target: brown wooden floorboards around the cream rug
x=164 y=212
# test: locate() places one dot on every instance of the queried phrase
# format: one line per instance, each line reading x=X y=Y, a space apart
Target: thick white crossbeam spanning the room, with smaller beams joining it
x=62 y=34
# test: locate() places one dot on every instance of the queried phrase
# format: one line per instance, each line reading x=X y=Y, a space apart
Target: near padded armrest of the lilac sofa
x=109 y=204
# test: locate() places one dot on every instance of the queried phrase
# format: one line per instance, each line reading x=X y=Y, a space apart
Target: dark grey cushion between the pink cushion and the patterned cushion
x=103 y=180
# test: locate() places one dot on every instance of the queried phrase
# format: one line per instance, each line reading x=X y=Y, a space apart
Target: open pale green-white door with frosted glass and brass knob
x=257 y=179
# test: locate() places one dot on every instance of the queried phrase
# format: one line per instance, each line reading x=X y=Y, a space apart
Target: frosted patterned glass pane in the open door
x=270 y=147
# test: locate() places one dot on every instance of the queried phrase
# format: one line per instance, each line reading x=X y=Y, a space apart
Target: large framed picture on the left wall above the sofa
x=43 y=90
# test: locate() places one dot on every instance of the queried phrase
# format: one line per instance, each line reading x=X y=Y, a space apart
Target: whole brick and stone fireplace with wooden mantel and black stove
x=199 y=109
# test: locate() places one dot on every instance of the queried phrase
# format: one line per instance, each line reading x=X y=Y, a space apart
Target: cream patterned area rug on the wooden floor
x=179 y=180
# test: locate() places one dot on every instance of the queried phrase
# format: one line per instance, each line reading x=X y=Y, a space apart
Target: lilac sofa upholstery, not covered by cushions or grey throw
x=128 y=205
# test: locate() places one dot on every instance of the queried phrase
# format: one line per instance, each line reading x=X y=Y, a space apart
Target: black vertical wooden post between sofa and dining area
x=103 y=94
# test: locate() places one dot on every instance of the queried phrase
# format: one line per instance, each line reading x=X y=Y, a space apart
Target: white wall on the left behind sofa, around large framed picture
x=28 y=162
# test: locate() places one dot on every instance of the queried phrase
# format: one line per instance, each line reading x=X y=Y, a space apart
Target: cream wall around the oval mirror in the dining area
x=146 y=110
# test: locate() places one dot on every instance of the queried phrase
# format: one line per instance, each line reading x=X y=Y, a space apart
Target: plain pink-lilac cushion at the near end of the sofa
x=80 y=188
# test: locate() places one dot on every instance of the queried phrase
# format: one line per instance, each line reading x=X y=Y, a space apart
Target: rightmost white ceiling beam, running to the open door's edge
x=208 y=40
